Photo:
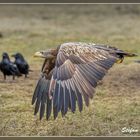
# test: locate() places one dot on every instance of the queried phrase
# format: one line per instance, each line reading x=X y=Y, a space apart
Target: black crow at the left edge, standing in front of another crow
x=7 y=67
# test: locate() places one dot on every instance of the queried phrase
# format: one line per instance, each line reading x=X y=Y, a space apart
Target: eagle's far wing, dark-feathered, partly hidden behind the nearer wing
x=41 y=96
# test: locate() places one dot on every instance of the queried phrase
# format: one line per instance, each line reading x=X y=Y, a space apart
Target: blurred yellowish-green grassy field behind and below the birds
x=30 y=28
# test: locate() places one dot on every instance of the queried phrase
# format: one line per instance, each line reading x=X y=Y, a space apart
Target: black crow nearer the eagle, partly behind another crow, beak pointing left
x=21 y=63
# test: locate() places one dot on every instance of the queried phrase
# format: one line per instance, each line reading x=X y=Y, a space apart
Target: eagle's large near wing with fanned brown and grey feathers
x=79 y=67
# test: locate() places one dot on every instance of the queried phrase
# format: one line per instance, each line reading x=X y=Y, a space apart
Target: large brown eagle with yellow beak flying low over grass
x=70 y=74
